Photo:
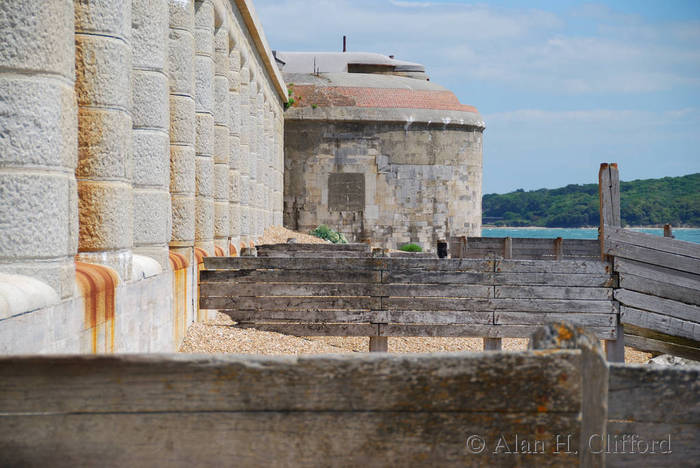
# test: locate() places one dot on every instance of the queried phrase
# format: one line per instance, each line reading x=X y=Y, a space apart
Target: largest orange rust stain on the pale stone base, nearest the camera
x=98 y=285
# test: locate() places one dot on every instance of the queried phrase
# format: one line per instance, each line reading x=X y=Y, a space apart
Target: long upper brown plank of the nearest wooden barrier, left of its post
x=157 y=383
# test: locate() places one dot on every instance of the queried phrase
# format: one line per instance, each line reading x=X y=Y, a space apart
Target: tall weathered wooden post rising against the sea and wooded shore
x=609 y=192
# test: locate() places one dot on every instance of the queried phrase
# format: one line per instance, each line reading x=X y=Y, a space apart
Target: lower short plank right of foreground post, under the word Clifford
x=651 y=444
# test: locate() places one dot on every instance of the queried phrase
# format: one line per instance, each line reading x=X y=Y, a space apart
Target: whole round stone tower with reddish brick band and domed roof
x=378 y=152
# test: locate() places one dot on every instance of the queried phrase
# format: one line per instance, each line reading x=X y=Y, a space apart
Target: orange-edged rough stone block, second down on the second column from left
x=103 y=71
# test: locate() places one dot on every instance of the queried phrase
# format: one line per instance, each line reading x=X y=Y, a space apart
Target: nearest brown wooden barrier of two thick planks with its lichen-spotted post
x=339 y=410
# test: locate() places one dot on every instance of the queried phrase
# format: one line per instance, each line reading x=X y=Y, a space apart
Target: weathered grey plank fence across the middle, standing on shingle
x=409 y=296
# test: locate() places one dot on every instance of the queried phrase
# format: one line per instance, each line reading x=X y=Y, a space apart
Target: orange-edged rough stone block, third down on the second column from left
x=104 y=144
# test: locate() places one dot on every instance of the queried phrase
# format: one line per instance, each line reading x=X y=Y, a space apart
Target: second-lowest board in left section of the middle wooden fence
x=307 y=316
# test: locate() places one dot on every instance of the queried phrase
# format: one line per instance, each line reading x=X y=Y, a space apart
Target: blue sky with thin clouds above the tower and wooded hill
x=562 y=85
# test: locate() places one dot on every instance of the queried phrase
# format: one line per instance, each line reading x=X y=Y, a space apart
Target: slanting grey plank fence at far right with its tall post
x=659 y=281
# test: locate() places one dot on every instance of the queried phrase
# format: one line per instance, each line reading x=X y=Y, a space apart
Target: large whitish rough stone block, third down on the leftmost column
x=36 y=215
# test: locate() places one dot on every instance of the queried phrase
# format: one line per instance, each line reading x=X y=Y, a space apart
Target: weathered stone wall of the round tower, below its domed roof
x=392 y=176
